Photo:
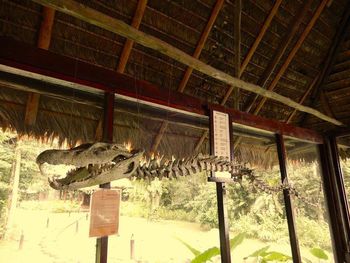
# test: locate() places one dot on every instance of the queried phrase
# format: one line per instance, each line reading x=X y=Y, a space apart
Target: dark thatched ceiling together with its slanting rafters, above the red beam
x=299 y=49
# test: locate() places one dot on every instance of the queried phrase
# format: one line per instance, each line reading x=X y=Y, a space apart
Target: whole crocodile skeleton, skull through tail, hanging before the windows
x=100 y=163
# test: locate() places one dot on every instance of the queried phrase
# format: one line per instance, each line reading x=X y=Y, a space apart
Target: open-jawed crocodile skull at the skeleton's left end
x=95 y=164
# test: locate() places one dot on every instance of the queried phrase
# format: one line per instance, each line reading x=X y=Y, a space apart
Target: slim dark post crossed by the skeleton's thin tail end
x=287 y=200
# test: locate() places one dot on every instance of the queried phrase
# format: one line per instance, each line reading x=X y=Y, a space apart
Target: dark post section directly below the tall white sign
x=223 y=224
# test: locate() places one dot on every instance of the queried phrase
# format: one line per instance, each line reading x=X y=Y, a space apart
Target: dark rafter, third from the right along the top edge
x=280 y=52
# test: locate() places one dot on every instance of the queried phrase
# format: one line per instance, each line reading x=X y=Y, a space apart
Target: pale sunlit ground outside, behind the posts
x=63 y=240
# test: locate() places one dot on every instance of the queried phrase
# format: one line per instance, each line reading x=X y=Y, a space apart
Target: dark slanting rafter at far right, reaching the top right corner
x=331 y=56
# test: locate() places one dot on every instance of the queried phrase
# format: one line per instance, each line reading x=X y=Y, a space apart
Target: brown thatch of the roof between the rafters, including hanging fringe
x=180 y=23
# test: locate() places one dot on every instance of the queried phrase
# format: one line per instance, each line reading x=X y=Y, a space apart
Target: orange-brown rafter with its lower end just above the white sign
x=255 y=45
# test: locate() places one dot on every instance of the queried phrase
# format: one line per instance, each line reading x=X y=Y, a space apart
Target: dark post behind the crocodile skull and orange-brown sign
x=108 y=120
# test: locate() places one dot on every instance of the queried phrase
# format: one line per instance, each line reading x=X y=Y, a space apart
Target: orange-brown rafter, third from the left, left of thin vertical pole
x=196 y=54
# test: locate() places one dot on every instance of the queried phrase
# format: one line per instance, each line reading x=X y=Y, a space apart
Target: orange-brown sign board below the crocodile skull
x=104 y=213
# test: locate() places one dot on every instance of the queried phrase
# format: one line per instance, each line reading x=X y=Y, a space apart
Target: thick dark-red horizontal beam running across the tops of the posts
x=60 y=71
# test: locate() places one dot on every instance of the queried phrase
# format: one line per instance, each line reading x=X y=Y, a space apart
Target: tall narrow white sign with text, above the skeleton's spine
x=221 y=138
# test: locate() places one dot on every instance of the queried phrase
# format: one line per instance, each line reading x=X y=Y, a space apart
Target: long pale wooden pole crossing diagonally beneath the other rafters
x=119 y=27
